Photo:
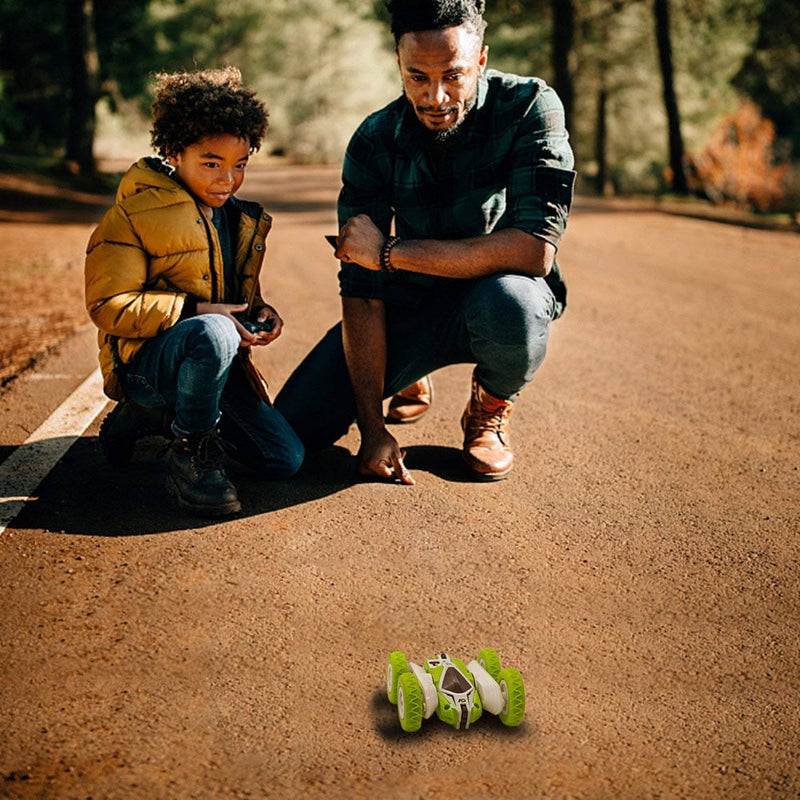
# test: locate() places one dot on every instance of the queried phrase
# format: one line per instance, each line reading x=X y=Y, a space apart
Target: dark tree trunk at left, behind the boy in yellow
x=84 y=81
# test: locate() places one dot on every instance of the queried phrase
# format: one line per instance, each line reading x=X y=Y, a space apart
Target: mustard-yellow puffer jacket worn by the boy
x=150 y=252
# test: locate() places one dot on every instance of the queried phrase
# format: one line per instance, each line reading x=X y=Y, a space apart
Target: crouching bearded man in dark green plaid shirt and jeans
x=474 y=169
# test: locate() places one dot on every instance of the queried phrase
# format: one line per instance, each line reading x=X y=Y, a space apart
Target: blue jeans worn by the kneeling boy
x=188 y=368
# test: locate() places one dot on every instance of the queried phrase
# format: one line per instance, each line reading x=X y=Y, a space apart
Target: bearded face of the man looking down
x=440 y=71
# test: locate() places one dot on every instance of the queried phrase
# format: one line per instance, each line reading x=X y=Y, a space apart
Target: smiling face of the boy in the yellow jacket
x=213 y=168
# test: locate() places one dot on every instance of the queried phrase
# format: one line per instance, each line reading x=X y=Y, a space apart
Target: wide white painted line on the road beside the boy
x=23 y=471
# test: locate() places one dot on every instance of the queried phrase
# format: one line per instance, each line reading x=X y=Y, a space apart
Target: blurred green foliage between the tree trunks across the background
x=322 y=65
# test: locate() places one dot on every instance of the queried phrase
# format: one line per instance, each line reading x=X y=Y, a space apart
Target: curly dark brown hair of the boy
x=189 y=106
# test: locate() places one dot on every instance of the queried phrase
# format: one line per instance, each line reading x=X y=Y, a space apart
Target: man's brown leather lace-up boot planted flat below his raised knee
x=487 y=452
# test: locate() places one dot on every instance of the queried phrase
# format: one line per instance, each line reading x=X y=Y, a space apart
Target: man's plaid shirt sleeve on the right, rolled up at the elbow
x=542 y=178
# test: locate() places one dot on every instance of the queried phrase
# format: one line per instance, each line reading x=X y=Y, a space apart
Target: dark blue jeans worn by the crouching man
x=500 y=323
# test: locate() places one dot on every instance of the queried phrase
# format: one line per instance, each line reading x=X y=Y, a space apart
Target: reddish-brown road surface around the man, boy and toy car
x=639 y=567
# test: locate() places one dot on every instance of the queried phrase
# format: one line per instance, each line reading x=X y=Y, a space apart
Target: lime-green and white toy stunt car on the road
x=458 y=694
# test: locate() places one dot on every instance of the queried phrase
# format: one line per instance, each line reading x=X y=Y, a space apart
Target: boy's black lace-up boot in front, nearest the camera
x=196 y=477
